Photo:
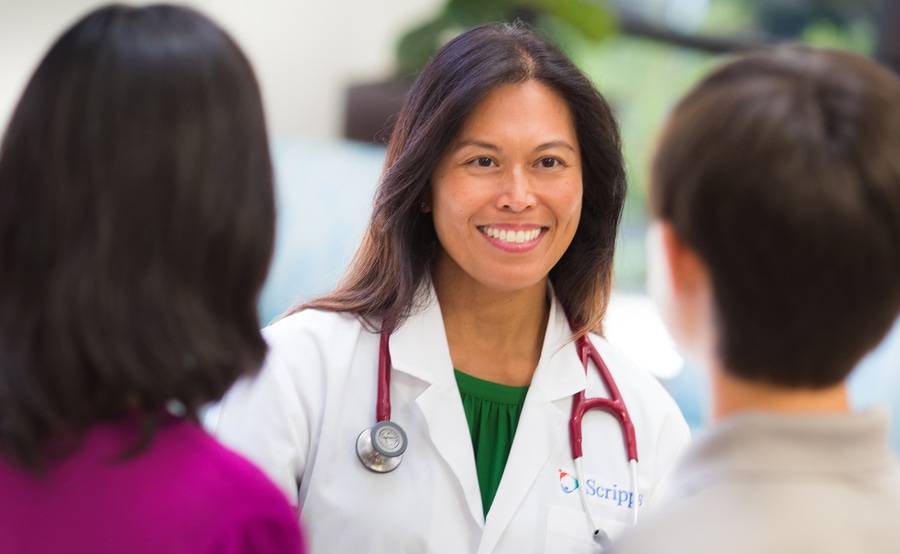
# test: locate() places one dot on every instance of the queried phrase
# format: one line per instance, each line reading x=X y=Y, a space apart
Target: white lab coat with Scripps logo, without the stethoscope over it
x=300 y=417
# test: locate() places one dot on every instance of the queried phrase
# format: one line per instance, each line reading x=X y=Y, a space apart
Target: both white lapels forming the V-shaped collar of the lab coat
x=419 y=348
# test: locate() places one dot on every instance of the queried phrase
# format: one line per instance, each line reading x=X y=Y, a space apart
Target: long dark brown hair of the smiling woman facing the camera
x=400 y=242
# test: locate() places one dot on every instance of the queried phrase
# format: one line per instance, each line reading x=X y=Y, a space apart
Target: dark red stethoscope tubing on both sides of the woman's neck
x=614 y=405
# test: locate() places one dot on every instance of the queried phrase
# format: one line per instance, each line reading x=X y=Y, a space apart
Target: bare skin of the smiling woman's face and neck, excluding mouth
x=516 y=162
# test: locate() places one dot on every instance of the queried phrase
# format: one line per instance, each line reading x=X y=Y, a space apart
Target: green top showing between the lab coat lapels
x=492 y=411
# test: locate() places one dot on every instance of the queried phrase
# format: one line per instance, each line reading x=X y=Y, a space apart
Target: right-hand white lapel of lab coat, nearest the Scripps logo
x=542 y=425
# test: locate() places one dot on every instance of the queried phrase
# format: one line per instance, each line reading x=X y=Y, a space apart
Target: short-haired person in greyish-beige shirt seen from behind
x=775 y=261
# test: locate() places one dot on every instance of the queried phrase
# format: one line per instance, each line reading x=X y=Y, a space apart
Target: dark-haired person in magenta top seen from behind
x=136 y=228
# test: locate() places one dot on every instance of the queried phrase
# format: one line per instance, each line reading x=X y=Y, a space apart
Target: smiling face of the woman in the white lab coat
x=506 y=196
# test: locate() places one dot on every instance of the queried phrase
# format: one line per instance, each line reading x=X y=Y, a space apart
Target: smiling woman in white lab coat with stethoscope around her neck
x=435 y=401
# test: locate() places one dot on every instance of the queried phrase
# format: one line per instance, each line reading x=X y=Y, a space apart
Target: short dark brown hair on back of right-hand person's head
x=781 y=170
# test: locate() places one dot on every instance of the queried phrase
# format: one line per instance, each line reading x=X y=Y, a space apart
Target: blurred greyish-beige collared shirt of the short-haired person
x=763 y=483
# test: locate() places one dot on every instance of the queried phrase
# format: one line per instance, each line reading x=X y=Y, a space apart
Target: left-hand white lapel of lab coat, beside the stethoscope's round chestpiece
x=419 y=348
